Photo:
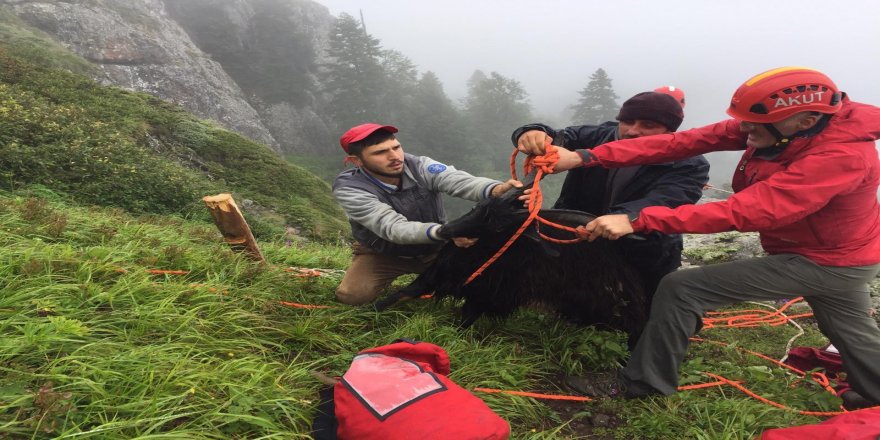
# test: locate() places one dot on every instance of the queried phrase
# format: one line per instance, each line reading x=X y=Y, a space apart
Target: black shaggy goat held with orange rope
x=586 y=283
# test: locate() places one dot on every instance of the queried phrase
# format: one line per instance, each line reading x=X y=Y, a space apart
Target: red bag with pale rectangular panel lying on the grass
x=400 y=391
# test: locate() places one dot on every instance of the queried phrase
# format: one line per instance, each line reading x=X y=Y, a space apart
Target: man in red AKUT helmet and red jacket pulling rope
x=807 y=182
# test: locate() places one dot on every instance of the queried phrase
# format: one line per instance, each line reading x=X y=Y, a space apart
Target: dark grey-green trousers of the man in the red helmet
x=839 y=296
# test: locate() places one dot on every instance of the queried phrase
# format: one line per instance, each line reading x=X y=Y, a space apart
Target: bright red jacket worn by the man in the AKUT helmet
x=818 y=198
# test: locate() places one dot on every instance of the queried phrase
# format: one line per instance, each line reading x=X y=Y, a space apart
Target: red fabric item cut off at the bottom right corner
x=856 y=425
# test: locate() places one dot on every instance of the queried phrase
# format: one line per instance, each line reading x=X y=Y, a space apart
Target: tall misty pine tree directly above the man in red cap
x=354 y=81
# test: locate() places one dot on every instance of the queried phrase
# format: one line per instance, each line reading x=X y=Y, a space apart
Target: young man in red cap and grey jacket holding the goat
x=393 y=202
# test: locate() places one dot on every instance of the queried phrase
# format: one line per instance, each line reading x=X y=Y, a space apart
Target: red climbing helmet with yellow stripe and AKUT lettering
x=776 y=94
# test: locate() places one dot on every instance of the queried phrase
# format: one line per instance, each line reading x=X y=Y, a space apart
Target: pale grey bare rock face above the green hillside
x=138 y=46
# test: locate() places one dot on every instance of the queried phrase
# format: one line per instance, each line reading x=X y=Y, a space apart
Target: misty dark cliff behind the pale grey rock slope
x=273 y=50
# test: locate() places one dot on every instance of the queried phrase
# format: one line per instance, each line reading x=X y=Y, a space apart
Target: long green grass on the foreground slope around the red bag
x=89 y=350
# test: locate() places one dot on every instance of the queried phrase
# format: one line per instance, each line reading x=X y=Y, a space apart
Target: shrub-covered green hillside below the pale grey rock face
x=107 y=146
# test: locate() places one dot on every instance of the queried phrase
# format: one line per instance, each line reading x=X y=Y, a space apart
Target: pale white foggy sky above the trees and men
x=707 y=48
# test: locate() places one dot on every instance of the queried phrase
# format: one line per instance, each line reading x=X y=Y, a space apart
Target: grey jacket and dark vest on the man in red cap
x=401 y=221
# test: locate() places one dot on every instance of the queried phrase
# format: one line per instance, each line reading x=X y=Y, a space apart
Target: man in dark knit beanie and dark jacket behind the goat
x=628 y=190
